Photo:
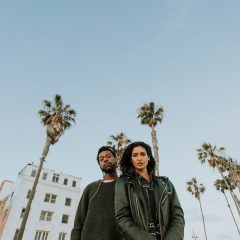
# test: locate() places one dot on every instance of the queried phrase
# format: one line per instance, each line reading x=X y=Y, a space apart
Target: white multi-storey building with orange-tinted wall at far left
x=53 y=208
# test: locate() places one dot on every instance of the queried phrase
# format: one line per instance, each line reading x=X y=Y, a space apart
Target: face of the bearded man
x=107 y=162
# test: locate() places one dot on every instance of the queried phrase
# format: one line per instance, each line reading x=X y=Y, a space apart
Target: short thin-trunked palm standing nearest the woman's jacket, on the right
x=197 y=189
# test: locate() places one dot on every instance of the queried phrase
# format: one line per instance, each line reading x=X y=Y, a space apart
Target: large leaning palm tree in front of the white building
x=57 y=117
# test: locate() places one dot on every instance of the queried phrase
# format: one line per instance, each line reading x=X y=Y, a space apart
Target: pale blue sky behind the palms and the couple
x=106 y=59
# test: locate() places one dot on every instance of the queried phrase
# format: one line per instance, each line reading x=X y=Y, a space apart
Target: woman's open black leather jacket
x=131 y=210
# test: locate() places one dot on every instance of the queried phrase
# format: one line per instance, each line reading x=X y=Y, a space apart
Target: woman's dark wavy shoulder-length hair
x=126 y=165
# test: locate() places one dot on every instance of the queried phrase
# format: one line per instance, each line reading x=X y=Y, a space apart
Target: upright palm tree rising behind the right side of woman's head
x=151 y=115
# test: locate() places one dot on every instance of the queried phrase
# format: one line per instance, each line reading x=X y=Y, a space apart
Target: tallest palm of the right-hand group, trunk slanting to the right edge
x=216 y=158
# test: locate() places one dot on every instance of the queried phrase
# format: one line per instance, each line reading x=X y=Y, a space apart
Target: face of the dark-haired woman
x=139 y=159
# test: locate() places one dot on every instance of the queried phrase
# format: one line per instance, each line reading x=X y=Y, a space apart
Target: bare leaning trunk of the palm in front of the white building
x=33 y=190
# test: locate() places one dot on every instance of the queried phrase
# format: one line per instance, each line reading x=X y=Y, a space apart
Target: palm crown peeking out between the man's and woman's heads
x=119 y=142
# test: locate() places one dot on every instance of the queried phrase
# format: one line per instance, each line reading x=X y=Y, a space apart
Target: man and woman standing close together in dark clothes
x=136 y=206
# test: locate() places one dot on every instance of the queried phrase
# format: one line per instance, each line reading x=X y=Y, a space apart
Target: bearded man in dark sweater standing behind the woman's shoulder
x=95 y=218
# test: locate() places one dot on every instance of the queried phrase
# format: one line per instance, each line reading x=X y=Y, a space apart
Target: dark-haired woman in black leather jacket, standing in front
x=146 y=206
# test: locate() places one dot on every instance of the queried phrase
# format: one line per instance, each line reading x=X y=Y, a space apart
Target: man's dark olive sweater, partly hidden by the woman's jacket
x=94 y=219
